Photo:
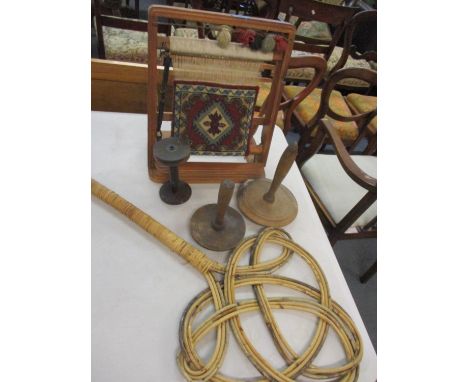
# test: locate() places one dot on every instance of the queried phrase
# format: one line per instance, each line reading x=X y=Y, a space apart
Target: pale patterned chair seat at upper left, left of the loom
x=125 y=45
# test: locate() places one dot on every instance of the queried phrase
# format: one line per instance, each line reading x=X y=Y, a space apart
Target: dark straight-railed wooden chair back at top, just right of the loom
x=336 y=16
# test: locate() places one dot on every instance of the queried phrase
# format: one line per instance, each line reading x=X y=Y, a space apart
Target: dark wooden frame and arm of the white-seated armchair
x=337 y=230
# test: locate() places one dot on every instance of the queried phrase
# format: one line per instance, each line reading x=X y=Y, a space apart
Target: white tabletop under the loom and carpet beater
x=140 y=289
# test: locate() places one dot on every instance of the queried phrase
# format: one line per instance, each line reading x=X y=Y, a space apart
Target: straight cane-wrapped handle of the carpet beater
x=176 y=244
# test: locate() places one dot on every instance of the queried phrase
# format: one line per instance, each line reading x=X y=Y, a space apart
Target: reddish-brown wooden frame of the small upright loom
x=215 y=172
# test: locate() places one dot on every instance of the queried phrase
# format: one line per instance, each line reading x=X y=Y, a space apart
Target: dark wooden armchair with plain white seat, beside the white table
x=343 y=187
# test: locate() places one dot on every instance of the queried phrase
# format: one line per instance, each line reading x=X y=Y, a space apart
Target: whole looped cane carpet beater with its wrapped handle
x=316 y=301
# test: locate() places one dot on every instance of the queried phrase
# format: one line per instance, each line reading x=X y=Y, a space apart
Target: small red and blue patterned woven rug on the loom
x=216 y=118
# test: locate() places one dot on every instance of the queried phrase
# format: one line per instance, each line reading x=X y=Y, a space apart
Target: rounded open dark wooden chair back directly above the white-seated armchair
x=309 y=144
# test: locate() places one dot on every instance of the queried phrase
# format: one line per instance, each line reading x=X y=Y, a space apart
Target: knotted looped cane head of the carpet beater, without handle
x=317 y=302
